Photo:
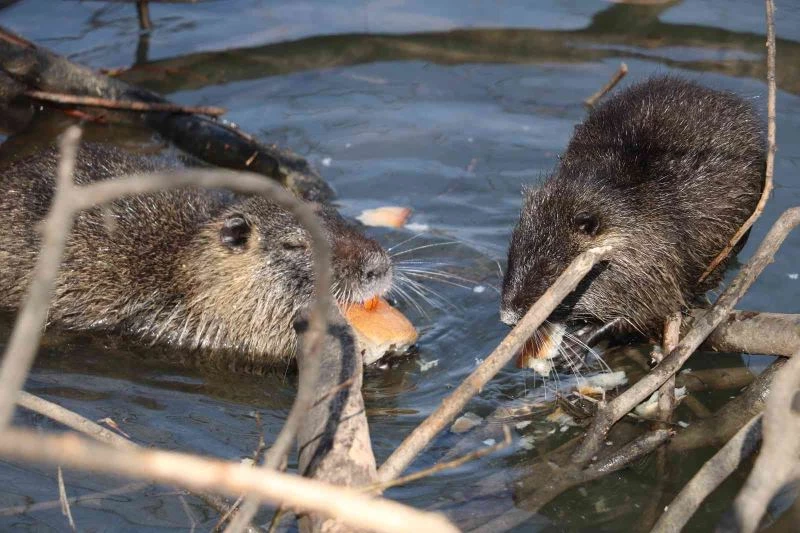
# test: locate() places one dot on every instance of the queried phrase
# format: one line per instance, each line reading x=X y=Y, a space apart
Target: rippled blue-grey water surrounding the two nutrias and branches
x=447 y=108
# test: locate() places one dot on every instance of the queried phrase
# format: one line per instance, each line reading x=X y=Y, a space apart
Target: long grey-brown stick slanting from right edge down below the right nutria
x=610 y=413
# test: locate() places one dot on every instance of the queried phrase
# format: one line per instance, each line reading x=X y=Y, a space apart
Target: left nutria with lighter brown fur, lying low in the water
x=201 y=270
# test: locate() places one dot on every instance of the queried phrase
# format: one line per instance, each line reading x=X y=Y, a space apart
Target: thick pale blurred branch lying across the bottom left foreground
x=201 y=474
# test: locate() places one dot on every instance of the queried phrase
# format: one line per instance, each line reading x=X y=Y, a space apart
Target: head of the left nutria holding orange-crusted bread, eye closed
x=249 y=272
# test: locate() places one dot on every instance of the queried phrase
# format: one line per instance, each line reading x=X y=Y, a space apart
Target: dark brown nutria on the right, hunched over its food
x=666 y=171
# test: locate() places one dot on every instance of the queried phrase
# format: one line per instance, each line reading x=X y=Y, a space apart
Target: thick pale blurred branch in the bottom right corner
x=777 y=463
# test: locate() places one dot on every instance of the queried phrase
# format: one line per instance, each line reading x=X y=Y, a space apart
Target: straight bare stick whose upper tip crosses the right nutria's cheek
x=508 y=348
